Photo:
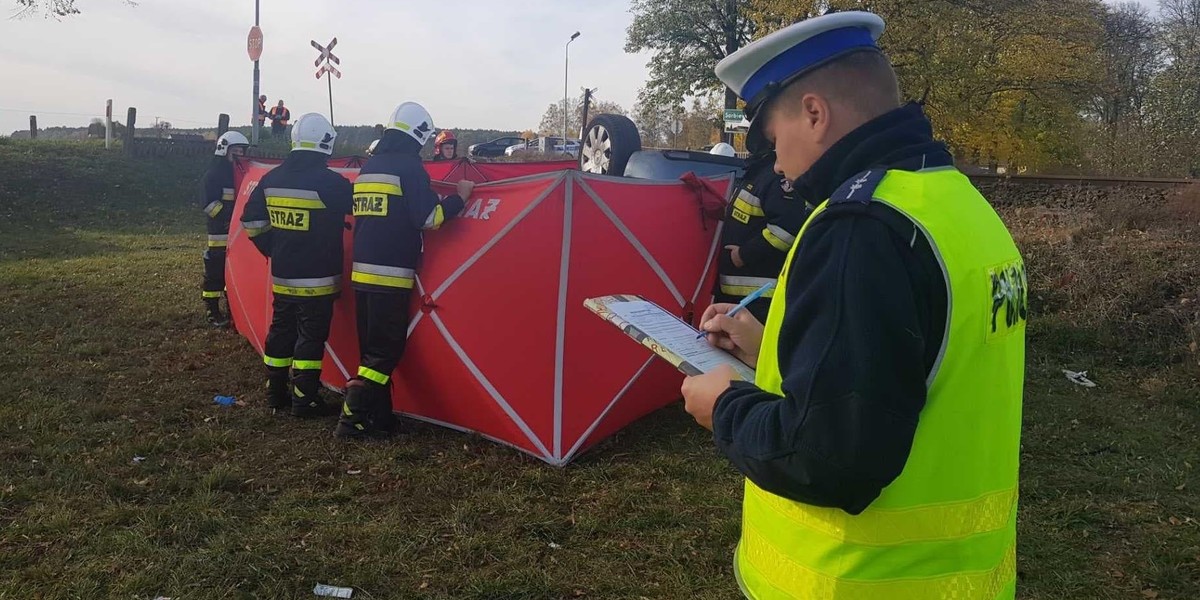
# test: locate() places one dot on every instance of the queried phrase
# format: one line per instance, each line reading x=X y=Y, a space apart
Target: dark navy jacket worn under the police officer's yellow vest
x=845 y=427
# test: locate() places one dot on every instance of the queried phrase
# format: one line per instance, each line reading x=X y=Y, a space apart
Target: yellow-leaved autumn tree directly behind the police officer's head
x=1005 y=81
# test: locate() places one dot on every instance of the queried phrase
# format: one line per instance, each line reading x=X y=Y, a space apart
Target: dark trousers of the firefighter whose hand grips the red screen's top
x=383 y=332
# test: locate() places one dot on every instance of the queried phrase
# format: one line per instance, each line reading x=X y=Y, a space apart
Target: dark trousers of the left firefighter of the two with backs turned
x=298 y=335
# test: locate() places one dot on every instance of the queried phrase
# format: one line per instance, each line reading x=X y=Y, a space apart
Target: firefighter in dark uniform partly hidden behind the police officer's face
x=760 y=227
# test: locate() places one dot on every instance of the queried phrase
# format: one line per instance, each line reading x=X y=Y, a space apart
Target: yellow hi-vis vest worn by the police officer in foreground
x=946 y=529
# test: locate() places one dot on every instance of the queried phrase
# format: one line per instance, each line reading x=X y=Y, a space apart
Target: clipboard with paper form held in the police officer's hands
x=665 y=334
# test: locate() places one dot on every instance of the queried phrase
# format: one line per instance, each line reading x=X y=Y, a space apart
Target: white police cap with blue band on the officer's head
x=761 y=70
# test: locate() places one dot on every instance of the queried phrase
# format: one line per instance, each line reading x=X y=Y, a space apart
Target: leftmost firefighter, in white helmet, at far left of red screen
x=218 y=200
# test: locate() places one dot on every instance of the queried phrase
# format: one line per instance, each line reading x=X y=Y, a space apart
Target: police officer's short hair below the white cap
x=862 y=81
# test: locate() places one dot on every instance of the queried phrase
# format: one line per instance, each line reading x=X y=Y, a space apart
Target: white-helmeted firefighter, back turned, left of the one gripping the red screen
x=297 y=218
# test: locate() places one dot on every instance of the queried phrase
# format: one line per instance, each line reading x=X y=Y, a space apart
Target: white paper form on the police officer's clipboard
x=677 y=337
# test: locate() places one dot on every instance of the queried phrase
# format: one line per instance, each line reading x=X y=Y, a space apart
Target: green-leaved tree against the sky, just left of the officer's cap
x=687 y=38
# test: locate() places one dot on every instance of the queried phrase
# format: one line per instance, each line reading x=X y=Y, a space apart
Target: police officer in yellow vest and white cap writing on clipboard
x=880 y=439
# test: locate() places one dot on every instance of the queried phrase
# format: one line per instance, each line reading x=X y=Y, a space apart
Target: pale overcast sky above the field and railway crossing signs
x=479 y=64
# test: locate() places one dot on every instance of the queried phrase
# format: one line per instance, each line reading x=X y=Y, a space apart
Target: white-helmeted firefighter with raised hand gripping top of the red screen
x=393 y=205
